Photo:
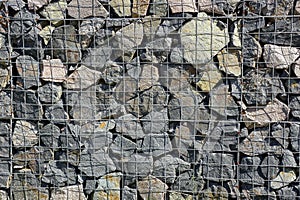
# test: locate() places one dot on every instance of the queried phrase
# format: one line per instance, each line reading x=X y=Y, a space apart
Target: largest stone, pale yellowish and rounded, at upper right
x=199 y=46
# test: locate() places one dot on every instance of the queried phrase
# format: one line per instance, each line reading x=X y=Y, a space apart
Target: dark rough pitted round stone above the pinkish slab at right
x=260 y=94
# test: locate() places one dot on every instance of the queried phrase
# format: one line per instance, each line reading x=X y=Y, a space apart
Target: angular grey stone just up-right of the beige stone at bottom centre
x=166 y=168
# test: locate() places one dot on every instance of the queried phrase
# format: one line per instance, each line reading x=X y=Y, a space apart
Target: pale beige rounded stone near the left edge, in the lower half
x=24 y=134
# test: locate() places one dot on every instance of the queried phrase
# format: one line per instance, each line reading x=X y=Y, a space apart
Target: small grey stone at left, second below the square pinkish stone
x=56 y=113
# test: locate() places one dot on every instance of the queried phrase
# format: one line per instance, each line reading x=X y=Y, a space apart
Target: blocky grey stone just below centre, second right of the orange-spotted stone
x=155 y=122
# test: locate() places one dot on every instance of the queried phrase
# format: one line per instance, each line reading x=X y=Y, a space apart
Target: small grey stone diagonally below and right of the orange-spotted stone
x=122 y=146
